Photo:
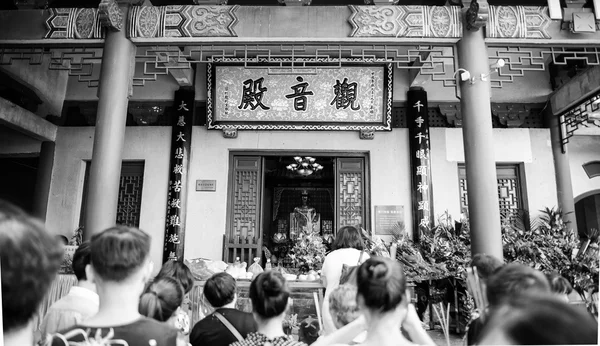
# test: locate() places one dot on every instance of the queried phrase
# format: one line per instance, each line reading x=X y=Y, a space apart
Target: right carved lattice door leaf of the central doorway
x=350 y=192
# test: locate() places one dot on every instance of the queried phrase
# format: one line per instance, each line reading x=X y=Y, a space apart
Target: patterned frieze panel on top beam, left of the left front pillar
x=73 y=23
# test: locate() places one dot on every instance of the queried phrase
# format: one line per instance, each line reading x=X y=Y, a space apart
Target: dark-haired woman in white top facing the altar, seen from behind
x=347 y=249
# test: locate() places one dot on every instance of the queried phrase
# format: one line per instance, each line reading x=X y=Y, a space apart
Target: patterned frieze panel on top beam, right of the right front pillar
x=518 y=22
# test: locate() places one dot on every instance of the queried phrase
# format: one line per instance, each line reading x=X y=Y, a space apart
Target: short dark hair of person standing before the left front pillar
x=118 y=252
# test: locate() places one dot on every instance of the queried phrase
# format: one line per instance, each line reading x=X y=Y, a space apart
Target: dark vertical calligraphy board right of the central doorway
x=422 y=192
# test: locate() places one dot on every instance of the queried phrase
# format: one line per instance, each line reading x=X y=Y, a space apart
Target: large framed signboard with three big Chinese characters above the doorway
x=350 y=97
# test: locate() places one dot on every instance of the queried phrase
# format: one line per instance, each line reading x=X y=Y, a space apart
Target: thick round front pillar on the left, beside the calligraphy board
x=113 y=96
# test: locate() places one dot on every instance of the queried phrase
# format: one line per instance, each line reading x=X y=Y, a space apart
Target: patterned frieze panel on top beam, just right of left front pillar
x=182 y=21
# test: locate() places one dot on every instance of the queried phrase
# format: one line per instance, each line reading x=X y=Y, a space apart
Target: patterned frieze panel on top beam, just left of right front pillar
x=406 y=21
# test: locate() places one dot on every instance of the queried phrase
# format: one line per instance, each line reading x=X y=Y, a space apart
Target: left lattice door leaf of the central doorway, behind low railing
x=244 y=220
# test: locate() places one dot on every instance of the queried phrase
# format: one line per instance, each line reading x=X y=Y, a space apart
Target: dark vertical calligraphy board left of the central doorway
x=183 y=112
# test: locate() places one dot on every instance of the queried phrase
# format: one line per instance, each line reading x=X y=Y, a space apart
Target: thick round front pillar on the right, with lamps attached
x=482 y=186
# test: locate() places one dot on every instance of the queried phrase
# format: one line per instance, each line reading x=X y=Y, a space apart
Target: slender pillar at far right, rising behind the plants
x=564 y=187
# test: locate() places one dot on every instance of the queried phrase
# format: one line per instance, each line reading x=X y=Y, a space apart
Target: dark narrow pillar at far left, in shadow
x=43 y=180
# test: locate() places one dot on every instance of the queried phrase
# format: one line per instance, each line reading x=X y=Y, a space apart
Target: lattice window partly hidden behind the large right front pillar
x=509 y=190
